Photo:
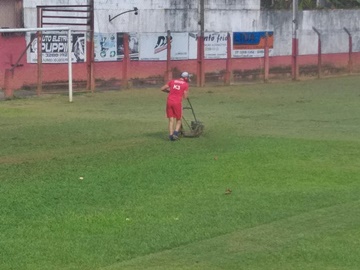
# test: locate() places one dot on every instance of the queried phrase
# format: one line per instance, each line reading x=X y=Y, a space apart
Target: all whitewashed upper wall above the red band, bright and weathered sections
x=220 y=16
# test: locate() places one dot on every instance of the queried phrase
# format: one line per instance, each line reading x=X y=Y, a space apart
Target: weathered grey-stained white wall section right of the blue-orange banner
x=329 y=23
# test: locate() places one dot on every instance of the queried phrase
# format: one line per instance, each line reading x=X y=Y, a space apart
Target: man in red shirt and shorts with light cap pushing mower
x=177 y=89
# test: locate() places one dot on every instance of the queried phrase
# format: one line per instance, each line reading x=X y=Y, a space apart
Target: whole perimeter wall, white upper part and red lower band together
x=183 y=16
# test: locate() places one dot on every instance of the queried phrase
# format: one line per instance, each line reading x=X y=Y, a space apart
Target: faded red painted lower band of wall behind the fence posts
x=26 y=74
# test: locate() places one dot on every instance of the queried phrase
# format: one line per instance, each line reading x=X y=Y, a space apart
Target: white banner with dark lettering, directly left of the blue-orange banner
x=215 y=45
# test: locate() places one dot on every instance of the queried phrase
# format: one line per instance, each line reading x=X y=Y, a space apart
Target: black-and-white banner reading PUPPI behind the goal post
x=55 y=48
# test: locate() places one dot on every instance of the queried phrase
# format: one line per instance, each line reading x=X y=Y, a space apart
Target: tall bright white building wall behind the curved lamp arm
x=159 y=15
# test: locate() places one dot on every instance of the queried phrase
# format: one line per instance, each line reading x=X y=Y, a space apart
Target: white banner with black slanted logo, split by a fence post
x=153 y=46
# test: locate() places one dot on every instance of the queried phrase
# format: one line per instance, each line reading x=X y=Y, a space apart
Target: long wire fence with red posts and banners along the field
x=103 y=61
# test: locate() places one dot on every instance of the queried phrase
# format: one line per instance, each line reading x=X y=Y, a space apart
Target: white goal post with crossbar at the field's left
x=52 y=29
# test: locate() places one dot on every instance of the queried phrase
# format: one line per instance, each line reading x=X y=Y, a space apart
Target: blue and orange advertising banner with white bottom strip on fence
x=251 y=44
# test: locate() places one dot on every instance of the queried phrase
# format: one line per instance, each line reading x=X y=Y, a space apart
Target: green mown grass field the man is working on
x=290 y=153
